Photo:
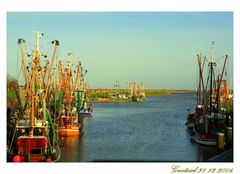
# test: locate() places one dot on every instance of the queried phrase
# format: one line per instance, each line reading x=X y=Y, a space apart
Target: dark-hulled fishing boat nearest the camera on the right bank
x=213 y=118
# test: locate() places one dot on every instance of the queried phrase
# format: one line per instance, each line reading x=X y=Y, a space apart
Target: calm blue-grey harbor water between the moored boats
x=153 y=130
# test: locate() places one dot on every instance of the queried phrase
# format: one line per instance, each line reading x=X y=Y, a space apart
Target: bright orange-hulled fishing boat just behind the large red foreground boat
x=69 y=121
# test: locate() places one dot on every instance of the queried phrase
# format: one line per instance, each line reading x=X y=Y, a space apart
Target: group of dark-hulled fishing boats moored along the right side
x=211 y=118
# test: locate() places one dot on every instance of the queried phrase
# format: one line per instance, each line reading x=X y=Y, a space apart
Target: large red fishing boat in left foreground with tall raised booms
x=34 y=137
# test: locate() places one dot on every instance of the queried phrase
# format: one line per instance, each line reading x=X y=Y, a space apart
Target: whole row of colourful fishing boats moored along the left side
x=50 y=106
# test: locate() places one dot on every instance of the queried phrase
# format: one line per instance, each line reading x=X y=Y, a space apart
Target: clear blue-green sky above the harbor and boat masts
x=156 y=48
